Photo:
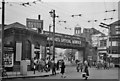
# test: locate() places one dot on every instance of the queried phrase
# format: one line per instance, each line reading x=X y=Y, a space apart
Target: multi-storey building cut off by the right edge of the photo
x=114 y=42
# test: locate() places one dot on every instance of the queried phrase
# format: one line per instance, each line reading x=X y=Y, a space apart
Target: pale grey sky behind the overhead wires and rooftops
x=90 y=10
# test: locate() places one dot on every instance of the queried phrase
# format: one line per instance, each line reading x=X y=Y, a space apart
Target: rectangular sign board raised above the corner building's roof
x=34 y=23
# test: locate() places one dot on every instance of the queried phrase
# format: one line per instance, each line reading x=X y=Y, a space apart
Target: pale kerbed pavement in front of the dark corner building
x=30 y=74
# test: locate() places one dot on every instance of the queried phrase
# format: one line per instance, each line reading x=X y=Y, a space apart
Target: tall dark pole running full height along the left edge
x=2 y=39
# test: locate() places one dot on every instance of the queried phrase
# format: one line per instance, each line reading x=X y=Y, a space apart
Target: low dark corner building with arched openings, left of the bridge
x=22 y=44
